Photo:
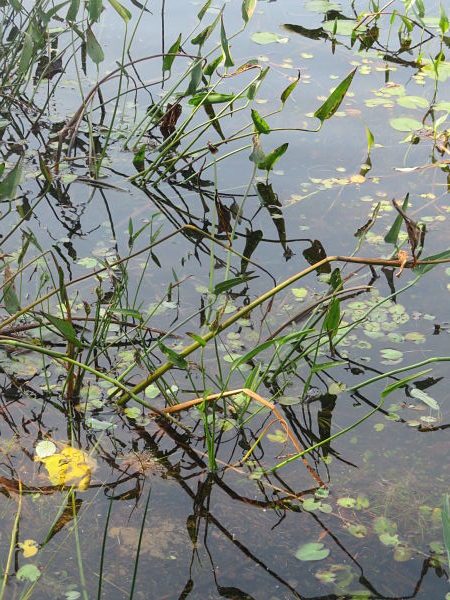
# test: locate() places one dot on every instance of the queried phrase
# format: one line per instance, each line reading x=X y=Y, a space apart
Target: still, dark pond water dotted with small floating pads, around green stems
x=136 y=506
